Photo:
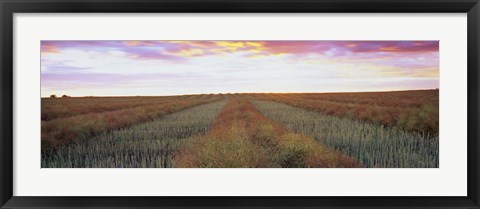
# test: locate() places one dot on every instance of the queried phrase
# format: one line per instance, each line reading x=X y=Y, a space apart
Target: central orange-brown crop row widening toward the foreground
x=242 y=138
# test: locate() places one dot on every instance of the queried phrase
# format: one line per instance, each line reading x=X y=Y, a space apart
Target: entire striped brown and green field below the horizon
x=270 y=130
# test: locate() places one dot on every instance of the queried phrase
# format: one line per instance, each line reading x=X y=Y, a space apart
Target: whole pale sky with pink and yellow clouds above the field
x=156 y=68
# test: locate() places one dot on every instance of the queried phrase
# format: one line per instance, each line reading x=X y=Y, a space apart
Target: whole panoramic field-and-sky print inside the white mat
x=239 y=104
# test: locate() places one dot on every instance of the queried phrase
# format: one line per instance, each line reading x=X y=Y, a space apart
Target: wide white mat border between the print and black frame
x=449 y=180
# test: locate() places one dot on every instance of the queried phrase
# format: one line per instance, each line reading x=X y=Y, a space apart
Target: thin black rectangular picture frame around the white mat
x=9 y=7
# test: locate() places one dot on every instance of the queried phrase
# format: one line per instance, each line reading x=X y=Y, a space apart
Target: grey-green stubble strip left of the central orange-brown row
x=147 y=145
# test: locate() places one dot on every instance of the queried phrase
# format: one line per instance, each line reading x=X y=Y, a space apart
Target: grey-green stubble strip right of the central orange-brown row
x=373 y=144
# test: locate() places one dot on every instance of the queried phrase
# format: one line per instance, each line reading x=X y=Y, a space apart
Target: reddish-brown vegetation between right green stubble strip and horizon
x=410 y=110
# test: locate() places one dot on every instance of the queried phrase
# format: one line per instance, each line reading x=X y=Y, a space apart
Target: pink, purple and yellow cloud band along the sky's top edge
x=181 y=50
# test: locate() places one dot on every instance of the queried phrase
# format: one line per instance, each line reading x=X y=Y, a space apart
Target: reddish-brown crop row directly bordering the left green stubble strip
x=64 y=131
